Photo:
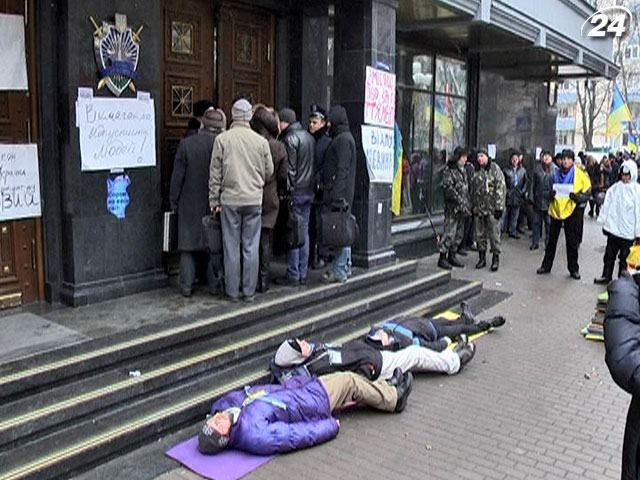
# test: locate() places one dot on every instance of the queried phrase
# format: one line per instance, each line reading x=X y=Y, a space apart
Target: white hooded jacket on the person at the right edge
x=620 y=213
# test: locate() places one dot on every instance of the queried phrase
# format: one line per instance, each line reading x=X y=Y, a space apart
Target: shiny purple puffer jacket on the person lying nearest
x=264 y=427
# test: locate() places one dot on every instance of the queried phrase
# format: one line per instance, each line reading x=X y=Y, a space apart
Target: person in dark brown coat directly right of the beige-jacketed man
x=266 y=124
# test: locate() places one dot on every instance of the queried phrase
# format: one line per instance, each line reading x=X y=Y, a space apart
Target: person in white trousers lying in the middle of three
x=359 y=357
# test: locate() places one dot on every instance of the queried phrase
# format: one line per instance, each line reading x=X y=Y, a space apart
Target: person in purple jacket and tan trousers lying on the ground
x=269 y=419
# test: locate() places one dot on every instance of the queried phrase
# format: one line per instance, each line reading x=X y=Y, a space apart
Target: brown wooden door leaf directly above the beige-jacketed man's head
x=246 y=55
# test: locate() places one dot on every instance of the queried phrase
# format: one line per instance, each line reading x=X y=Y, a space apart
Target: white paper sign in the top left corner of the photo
x=13 y=59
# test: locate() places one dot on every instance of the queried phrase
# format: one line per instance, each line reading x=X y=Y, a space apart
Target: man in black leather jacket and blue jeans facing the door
x=300 y=147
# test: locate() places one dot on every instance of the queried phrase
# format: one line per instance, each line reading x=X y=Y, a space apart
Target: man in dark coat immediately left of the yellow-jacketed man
x=540 y=195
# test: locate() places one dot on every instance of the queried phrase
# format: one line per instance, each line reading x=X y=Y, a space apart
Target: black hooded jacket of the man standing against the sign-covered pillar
x=339 y=171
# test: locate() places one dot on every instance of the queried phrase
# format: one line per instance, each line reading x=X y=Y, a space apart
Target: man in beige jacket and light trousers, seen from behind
x=240 y=164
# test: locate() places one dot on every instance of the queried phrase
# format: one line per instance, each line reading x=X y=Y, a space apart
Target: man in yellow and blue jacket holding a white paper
x=563 y=213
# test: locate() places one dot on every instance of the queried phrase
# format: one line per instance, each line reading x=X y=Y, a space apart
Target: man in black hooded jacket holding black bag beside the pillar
x=338 y=179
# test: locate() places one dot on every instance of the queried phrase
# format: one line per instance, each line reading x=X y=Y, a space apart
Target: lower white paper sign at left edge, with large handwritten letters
x=19 y=182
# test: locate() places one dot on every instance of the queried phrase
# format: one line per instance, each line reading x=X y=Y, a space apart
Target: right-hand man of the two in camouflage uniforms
x=488 y=193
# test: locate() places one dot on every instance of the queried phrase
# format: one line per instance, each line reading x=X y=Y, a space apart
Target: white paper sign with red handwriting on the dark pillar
x=380 y=98
